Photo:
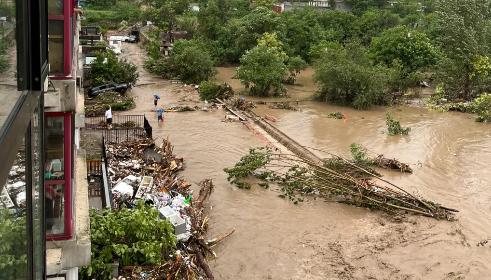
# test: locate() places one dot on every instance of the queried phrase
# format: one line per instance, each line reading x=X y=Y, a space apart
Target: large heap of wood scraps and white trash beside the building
x=143 y=170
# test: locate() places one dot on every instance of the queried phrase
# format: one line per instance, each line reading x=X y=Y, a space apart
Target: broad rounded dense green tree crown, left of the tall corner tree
x=411 y=47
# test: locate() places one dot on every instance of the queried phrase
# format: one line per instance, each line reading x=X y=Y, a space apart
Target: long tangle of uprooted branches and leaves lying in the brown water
x=299 y=176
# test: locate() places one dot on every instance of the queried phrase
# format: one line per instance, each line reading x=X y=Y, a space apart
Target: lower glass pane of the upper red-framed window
x=56 y=47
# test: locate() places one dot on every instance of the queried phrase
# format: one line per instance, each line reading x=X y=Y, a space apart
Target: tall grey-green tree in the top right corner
x=465 y=35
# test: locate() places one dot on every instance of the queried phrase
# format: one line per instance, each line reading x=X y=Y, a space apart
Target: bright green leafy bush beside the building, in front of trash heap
x=131 y=237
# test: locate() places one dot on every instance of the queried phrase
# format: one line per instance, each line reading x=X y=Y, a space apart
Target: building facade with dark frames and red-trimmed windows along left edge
x=43 y=198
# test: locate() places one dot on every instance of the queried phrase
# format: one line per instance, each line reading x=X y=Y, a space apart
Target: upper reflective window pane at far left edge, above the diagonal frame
x=8 y=60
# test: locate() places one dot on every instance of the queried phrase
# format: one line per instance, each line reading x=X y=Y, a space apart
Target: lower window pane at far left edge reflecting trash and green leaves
x=13 y=225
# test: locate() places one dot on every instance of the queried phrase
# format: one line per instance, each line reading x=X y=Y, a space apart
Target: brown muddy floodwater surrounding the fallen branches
x=275 y=239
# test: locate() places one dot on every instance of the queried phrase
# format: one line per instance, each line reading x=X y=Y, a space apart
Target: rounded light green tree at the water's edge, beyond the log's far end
x=262 y=69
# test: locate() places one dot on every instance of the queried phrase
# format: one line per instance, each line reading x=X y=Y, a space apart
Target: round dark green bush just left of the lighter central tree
x=194 y=65
